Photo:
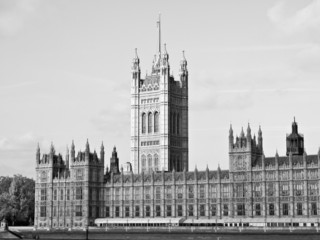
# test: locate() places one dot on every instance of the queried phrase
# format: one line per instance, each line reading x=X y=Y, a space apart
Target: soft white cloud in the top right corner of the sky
x=306 y=19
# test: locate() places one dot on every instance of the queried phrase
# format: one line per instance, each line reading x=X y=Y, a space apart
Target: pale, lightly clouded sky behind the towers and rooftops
x=65 y=72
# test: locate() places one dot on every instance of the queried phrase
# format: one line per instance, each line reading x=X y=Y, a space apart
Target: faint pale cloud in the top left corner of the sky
x=14 y=15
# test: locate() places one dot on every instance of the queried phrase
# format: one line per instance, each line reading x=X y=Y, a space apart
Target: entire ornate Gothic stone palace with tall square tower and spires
x=156 y=187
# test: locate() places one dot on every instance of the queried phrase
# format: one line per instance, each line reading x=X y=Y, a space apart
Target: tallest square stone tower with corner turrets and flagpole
x=159 y=115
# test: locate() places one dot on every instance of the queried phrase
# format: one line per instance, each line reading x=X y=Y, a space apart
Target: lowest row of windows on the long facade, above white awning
x=213 y=210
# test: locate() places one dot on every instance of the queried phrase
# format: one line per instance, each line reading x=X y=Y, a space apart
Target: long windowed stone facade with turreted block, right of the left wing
x=255 y=187
